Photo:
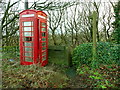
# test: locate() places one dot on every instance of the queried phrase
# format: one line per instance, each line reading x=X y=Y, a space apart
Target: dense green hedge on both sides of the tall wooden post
x=107 y=53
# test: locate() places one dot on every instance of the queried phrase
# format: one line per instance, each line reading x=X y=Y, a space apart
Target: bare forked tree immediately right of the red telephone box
x=56 y=18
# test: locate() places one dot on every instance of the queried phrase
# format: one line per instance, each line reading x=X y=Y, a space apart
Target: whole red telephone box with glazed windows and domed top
x=33 y=37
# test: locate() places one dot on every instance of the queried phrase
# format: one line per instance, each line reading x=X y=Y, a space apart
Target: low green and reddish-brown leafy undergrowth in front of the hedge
x=103 y=77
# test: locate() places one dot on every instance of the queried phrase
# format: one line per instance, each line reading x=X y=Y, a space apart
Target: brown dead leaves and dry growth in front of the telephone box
x=19 y=76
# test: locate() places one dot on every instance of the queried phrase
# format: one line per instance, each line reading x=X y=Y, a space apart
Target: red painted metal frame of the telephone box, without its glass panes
x=37 y=54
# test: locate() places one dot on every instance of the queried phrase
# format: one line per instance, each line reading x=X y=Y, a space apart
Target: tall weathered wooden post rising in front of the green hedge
x=94 y=37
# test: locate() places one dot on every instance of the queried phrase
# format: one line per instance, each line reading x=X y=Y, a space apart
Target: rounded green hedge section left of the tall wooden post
x=82 y=55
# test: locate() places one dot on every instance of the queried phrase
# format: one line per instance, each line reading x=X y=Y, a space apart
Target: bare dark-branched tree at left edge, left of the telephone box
x=9 y=18
